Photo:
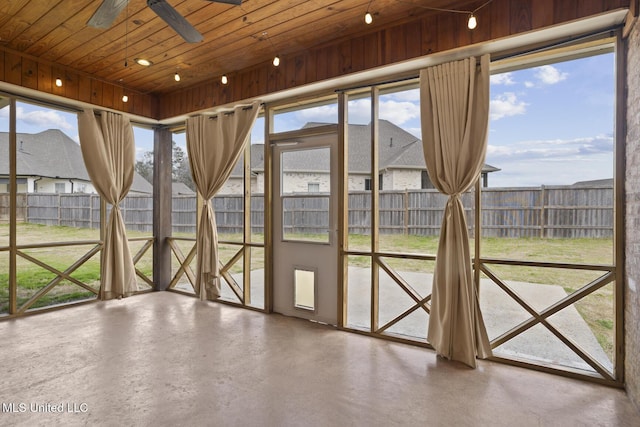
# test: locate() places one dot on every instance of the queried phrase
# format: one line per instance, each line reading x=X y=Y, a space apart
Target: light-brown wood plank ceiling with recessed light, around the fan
x=235 y=37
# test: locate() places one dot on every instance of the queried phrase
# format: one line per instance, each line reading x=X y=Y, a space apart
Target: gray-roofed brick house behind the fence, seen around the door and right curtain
x=401 y=164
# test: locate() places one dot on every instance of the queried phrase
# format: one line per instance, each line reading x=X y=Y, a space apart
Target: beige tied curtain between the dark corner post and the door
x=214 y=145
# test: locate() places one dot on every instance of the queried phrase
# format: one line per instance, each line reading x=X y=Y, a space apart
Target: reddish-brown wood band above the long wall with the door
x=412 y=39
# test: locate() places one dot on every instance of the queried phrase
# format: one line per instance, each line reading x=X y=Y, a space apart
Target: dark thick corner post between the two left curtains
x=162 y=203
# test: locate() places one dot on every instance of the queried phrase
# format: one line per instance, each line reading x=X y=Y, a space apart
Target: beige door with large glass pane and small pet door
x=305 y=247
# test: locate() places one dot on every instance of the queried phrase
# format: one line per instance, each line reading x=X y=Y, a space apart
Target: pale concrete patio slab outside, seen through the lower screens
x=500 y=314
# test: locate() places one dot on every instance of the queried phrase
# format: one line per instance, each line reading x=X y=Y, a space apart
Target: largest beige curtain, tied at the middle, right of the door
x=454 y=101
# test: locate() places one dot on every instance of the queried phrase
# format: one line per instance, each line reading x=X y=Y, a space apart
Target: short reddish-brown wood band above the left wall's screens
x=22 y=70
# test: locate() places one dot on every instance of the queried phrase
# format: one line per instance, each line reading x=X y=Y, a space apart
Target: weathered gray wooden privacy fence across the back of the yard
x=567 y=212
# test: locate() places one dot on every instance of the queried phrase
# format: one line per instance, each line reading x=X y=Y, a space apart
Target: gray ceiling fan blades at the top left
x=110 y=9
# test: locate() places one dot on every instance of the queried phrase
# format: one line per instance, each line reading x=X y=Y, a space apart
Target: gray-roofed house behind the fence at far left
x=51 y=162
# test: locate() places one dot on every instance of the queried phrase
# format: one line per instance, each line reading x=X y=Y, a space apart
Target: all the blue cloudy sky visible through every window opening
x=549 y=125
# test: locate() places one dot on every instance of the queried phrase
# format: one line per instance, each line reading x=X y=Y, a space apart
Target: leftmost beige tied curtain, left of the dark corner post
x=108 y=150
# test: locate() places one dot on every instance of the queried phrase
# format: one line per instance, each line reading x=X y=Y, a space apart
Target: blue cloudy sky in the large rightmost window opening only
x=553 y=124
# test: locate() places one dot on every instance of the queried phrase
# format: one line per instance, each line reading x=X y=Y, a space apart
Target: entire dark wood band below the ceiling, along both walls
x=415 y=37
